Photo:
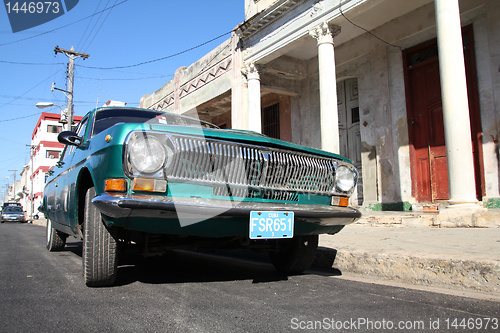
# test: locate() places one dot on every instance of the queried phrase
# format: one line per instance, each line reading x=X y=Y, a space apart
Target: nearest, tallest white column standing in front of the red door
x=455 y=103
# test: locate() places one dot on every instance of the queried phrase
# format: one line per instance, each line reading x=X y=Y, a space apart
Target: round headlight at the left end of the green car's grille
x=147 y=154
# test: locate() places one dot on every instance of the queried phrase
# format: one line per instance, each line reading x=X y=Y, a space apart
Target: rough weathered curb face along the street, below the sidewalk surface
x=447 y=273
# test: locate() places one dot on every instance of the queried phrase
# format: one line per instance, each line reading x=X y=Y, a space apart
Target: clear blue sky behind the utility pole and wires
x=133 y=32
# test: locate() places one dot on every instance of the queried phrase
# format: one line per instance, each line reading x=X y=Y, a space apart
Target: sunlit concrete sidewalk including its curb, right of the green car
x=465 y=259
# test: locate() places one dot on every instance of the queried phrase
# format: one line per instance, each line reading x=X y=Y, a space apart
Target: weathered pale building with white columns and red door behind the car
x=406 y=89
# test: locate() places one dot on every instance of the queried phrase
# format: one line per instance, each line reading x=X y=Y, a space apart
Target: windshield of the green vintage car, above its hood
x=108 y=117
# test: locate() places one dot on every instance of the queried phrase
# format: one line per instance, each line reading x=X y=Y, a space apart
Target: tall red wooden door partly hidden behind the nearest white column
x=429 y=170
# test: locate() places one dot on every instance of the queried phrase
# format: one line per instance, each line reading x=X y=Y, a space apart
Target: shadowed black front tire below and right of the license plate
x=295 y=255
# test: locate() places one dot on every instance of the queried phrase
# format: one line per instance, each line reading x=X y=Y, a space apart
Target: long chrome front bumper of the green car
x=119 y=206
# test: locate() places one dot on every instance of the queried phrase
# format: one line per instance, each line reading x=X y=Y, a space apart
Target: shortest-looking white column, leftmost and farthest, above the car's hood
x=254 y=105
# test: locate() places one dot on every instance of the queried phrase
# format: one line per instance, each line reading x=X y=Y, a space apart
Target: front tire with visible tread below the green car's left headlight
x=99 y=255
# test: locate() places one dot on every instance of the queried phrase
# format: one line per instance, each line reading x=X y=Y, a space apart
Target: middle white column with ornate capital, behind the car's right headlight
x=324 y=34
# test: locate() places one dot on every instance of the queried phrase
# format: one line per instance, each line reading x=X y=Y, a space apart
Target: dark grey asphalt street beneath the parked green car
x=192 y=292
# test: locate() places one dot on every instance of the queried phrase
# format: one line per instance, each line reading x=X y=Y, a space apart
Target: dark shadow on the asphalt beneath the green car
x=219 y=266
